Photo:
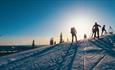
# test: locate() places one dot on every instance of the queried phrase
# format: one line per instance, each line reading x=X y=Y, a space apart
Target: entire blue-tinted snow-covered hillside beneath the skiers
x=98 y=54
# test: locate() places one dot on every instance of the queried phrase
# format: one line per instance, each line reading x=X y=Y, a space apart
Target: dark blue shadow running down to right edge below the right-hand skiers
x=105 y=46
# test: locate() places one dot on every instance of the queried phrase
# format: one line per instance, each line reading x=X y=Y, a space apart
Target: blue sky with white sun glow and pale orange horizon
x=21 y=21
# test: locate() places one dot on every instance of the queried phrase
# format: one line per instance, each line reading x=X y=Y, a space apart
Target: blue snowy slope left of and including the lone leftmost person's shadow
x=56 y=57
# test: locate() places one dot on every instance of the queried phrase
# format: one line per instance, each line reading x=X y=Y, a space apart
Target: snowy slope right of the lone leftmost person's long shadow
x=98 y=54
